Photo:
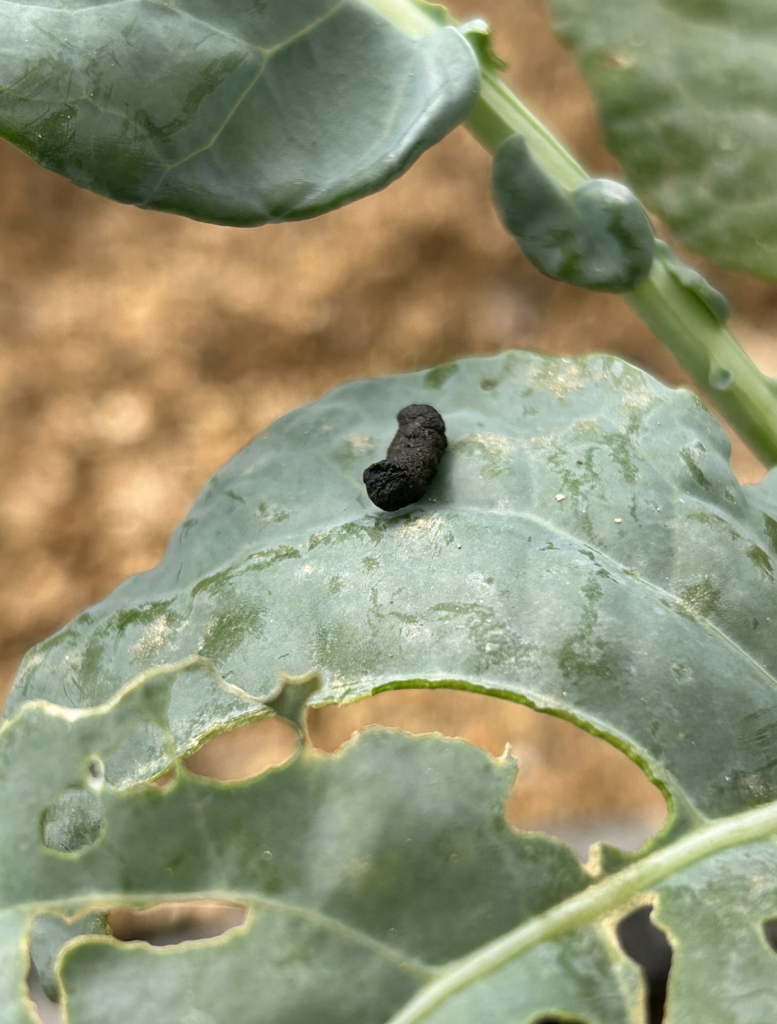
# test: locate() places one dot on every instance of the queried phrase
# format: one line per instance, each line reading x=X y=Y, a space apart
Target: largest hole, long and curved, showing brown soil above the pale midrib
x=572 y=785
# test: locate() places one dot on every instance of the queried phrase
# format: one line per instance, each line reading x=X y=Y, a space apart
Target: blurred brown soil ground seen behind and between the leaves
x=139 y=352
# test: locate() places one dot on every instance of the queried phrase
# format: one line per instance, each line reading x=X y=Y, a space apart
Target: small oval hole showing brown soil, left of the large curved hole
x=245 y=752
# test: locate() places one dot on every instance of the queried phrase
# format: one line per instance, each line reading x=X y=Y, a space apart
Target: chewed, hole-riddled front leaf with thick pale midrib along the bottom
x=391 y=863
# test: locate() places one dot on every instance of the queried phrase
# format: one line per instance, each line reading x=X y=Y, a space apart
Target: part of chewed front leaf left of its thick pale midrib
x=382 y=863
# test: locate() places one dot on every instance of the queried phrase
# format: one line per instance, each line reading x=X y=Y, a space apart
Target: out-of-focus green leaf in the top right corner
x=687 y=101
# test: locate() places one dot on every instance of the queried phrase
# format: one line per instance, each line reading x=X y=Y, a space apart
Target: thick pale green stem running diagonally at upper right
x=704 y=348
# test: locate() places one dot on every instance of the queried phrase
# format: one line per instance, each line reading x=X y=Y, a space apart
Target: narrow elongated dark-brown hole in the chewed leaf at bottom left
x=170 y=924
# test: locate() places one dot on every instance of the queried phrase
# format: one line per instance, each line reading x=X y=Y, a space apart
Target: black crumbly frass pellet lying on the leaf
x=411 y=462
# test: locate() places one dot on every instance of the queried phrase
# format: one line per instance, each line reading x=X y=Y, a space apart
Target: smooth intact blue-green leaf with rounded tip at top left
x=238 y=112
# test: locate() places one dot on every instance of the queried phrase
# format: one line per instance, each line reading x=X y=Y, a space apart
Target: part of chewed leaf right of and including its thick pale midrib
x=715 y=891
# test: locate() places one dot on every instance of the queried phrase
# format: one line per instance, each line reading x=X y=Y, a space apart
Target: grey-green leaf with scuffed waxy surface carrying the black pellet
x=584 y=549
